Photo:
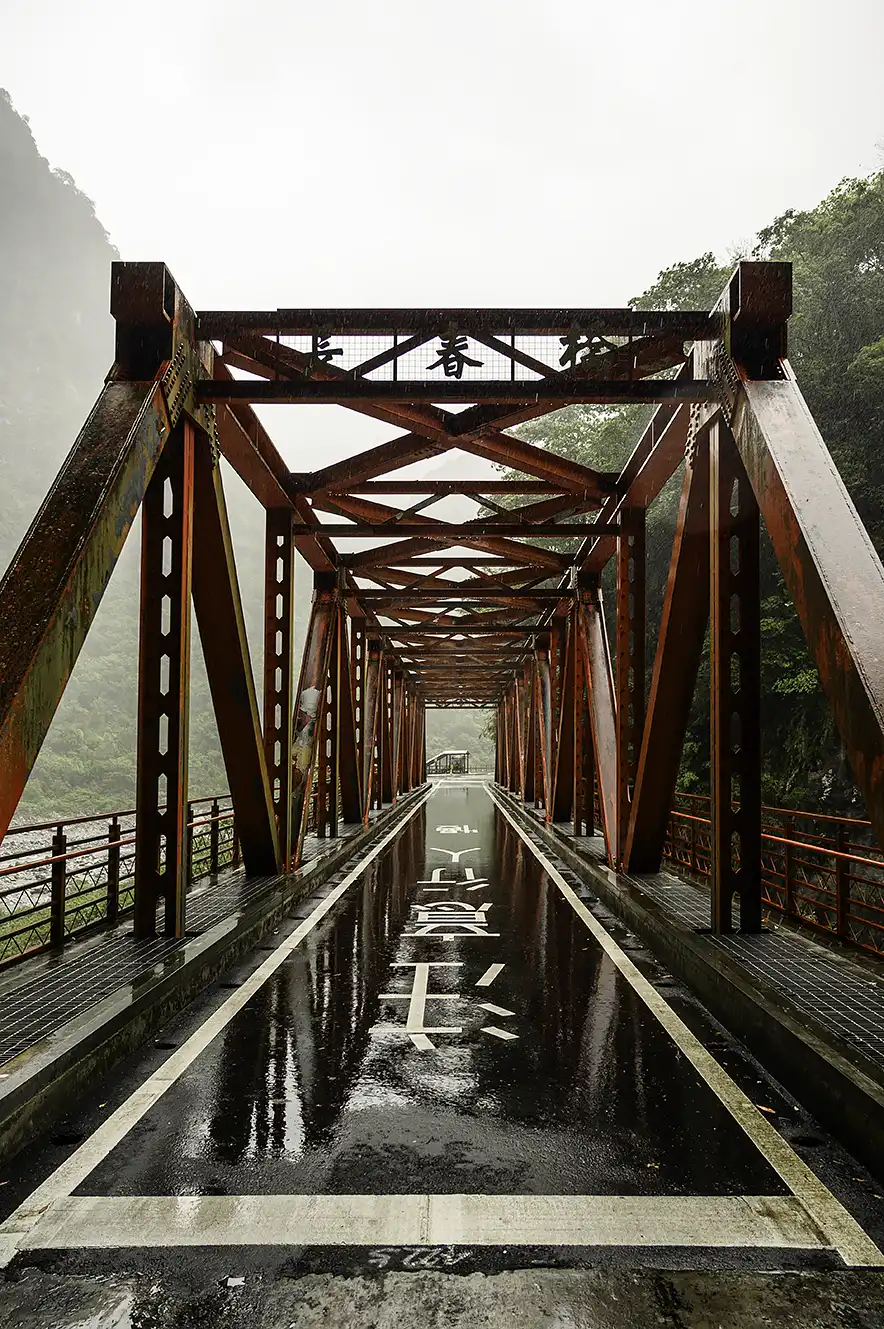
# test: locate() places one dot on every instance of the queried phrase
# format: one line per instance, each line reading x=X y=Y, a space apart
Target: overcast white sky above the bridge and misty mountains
x=461 y=152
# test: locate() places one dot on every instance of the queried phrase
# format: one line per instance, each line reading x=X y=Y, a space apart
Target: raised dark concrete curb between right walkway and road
x=845 y=1092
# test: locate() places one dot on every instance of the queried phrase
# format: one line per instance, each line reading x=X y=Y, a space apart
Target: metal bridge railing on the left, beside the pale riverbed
x=62 y=879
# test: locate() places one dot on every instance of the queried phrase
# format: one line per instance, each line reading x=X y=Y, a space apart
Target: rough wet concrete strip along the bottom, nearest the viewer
x=536 y=1299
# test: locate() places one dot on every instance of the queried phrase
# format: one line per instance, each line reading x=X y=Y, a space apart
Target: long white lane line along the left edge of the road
x=18 y=1230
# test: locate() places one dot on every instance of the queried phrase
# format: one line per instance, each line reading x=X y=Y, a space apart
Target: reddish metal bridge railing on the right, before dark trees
x=824 y=871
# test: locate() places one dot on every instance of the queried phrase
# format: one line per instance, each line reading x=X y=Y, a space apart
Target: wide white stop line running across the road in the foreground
x=487 y=1221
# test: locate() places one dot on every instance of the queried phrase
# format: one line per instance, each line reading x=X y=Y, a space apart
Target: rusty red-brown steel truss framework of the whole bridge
x=503 y=611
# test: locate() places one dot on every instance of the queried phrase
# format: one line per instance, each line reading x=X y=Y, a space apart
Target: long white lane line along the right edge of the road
x=843 y=1233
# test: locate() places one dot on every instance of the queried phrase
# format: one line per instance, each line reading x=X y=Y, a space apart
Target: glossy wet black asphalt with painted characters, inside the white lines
x=450 y=1028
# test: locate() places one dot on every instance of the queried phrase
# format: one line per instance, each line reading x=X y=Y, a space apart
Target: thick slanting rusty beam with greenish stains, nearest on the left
x=55 y=583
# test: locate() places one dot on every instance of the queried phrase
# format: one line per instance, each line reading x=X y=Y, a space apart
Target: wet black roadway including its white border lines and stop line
x=446 y=1051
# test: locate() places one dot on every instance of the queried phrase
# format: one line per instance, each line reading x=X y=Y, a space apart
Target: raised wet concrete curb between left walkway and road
x=56 y=1072
